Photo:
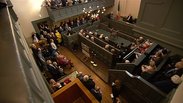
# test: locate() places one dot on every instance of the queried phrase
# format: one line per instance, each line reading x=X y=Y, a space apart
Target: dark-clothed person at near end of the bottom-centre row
x=97 y=93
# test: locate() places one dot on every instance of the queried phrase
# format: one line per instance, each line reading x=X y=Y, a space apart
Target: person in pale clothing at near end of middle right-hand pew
x=151 y=68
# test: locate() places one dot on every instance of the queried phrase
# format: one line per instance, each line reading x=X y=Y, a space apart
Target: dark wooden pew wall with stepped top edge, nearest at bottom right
x=140 y=87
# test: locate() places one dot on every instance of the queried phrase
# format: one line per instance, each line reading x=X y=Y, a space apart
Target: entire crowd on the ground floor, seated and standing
x=45 y=50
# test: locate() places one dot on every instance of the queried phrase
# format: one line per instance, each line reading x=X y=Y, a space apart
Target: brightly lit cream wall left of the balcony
x=27 y=11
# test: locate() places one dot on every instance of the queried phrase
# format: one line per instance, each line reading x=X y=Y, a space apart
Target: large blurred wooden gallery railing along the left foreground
x=20 y=72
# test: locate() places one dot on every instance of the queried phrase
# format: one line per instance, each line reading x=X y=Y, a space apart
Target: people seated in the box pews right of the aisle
x=155 y=59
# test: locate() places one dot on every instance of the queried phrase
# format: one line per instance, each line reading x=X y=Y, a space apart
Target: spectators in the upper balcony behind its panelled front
x=55 y=4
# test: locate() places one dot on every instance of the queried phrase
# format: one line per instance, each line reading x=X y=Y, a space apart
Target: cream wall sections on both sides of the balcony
x=30 y=10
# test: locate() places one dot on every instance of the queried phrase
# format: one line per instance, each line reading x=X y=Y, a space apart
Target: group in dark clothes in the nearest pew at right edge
x=170 y=75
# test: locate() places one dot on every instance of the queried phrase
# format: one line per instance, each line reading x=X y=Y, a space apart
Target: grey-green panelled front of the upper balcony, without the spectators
x=69 y=11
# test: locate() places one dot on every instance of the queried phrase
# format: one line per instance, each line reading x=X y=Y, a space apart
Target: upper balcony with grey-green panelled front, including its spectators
x=63 y=9
